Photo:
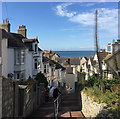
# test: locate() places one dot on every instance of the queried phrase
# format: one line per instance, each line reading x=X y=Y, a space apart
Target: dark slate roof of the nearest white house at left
x=14 y=39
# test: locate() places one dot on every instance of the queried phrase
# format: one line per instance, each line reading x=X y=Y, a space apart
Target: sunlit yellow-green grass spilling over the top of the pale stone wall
x=110 y=98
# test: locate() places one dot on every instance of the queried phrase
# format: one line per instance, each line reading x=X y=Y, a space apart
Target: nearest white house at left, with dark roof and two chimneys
x=21 y=56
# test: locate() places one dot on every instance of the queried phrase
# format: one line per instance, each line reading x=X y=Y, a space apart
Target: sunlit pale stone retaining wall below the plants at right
x=93 y=109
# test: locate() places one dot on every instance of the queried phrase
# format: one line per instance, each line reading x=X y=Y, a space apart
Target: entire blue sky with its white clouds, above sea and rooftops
x=64 y=26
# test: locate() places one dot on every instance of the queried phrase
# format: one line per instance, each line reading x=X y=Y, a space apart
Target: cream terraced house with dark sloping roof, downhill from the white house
x=54 y=72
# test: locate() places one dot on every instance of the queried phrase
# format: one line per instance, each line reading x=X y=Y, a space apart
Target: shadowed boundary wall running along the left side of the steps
x=19 y=100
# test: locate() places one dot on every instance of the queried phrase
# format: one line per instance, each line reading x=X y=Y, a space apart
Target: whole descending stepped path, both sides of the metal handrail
x=70 y=107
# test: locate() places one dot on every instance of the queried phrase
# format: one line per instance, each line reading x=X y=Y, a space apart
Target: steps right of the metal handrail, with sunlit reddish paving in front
x=70 y=107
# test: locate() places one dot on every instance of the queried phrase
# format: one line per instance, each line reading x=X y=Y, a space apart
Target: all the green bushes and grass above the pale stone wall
x=111 y=91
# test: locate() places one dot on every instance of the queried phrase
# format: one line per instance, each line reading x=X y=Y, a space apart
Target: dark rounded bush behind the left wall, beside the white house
x=40 y=78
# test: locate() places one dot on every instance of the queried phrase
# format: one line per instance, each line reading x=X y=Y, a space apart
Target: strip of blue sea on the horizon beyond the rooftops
x=75 y=53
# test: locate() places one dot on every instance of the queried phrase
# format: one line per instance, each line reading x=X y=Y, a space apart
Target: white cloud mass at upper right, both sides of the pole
x=107 y=18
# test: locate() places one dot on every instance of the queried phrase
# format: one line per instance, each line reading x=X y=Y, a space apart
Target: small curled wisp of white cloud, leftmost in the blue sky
x=62 y=11
